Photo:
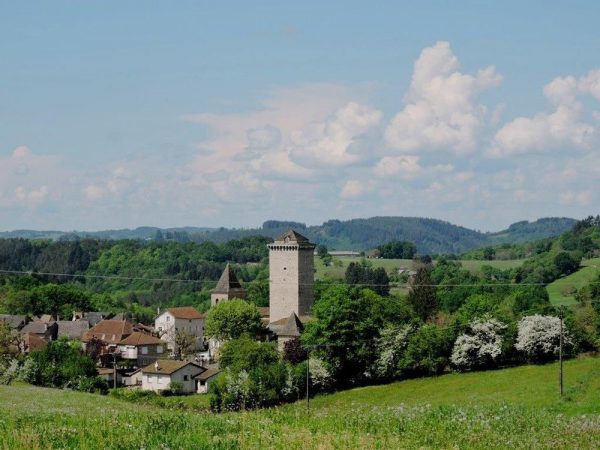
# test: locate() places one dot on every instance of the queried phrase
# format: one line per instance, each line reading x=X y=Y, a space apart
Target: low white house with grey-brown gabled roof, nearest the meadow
x=159 y=375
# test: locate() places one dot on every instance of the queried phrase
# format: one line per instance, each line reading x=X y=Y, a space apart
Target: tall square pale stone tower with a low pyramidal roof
x=291 y=276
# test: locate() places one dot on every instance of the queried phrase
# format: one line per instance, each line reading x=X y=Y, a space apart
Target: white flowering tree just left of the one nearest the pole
x=480 y=347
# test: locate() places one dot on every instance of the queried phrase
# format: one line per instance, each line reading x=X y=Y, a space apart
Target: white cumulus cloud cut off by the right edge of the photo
x=546 y=131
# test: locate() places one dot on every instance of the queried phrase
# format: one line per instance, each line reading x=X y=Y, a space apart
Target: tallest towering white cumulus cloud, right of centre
x=441 y=112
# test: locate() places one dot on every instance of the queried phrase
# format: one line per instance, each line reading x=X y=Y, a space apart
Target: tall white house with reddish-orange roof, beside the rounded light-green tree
x=184 y=319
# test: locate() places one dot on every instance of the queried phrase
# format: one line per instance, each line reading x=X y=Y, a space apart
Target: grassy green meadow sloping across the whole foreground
x=511 y=408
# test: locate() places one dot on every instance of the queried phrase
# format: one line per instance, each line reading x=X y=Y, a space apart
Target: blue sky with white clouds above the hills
x=119 y=114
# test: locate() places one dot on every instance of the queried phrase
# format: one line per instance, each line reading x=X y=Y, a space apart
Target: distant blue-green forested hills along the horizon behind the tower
x=429 y=235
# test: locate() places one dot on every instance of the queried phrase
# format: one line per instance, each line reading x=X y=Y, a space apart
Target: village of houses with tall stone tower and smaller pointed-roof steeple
x=174 y=351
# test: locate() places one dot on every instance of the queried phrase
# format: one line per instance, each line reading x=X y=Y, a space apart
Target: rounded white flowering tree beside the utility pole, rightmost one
x=539 y=337
